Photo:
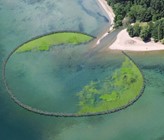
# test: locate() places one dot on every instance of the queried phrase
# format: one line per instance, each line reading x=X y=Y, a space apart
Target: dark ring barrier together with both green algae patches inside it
x=102 y=96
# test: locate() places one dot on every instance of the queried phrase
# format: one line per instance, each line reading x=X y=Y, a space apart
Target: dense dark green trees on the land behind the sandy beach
x=139 y=12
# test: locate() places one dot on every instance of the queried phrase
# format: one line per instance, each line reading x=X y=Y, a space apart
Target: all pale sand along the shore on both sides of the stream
x=124 y=41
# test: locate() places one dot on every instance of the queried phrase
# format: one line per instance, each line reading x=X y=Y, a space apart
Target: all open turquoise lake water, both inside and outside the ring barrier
x=49 y=80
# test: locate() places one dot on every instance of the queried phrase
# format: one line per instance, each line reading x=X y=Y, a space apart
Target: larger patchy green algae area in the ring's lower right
x=114 y=92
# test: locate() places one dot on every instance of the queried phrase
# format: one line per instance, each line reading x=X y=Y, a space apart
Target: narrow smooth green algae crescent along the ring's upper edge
x=44 y=43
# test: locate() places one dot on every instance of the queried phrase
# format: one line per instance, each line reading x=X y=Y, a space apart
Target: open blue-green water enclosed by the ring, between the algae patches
x=51 y=80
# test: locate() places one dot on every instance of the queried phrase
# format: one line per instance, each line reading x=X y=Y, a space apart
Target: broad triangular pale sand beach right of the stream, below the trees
x=125 y=42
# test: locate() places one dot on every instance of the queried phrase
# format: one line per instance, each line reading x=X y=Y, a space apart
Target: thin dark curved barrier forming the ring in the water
x=56 y=114
